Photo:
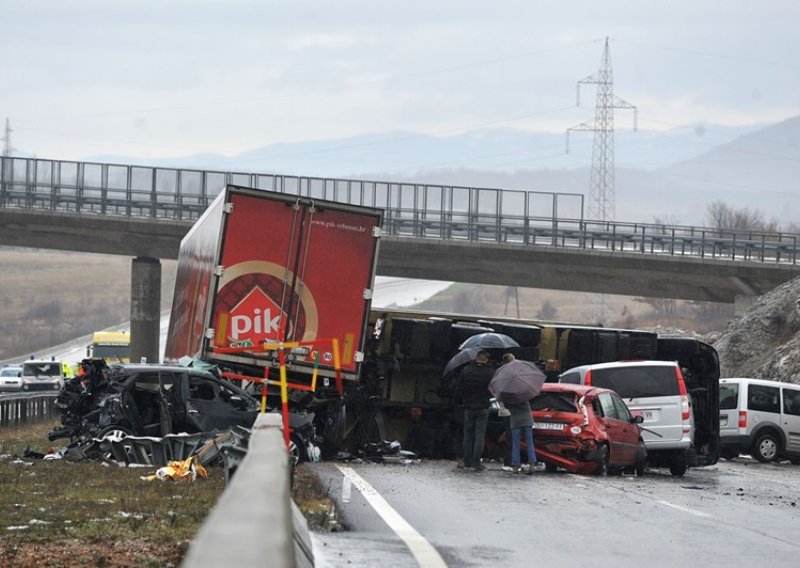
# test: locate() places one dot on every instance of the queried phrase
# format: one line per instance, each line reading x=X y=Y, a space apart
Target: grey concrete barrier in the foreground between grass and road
x=255 y=522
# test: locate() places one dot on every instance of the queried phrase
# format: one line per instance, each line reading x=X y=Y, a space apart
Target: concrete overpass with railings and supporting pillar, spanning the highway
x=438 y=232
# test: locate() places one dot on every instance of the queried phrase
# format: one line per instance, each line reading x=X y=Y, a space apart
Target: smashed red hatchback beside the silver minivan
x=586 y=429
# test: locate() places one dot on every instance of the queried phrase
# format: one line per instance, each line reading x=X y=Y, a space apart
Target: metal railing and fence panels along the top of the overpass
x=410 y=210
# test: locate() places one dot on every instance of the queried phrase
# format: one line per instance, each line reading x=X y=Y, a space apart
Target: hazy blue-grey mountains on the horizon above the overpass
x=667 y=176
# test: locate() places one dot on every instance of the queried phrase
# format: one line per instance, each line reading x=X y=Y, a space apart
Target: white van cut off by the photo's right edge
x=759 y=417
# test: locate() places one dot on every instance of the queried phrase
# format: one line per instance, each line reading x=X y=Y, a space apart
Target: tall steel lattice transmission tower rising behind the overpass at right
x=601 y=190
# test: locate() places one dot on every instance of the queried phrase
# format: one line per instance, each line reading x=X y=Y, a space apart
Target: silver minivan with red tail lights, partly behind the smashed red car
x=656 y=390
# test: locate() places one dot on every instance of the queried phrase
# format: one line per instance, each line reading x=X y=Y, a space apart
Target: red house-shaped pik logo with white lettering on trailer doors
x=256 y=318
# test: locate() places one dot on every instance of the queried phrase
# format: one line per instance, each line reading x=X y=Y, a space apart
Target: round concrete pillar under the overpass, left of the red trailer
x=145 y=309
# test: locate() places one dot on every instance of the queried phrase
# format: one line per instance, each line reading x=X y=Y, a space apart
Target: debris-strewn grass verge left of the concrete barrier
x=61 y=513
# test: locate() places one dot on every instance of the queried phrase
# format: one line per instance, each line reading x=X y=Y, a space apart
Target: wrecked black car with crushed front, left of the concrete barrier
x=150 y=400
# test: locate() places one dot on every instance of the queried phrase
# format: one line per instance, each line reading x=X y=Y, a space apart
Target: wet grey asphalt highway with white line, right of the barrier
x=736 y=513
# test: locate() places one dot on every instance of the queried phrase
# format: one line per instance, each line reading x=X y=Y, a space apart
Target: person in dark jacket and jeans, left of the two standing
x=474 y=390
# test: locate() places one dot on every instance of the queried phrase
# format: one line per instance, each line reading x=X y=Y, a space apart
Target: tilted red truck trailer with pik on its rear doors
x=260 y=267
